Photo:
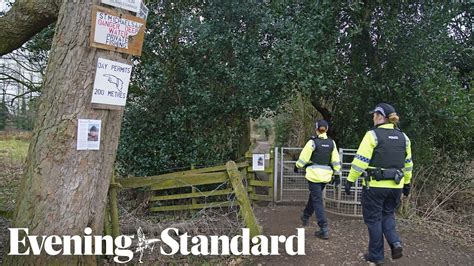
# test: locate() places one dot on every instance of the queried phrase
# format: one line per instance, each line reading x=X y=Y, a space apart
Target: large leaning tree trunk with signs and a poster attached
x=64 y=190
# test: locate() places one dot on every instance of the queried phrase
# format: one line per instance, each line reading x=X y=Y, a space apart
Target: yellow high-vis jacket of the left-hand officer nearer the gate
x=314 y=172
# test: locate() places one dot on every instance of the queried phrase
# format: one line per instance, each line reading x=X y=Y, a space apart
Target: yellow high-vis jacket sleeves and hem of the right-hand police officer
x=364 y=155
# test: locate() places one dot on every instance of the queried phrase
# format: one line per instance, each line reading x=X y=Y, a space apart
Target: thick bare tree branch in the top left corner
x=24 y=20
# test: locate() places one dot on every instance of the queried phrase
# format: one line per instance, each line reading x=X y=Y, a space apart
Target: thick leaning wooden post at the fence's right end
x=243 y=200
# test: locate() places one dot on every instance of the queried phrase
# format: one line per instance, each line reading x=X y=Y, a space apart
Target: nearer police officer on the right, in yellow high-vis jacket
x=385 y=155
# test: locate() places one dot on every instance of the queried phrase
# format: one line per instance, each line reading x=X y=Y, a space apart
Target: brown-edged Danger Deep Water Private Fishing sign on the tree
x=117 y=32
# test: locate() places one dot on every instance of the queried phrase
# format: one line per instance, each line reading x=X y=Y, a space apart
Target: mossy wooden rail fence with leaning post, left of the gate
x=191 y=190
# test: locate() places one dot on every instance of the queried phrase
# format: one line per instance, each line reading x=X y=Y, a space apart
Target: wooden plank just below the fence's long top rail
x=186 y=182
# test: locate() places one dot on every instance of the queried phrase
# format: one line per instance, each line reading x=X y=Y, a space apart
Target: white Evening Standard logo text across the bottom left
x=169 y=243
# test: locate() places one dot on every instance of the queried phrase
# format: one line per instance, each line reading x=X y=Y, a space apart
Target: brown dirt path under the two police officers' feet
x=349 y=241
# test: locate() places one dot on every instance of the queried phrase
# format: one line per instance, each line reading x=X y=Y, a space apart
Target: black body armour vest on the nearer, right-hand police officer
x=390 y=151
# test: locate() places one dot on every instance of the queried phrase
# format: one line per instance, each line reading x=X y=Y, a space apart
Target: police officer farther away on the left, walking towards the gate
x=320 y=159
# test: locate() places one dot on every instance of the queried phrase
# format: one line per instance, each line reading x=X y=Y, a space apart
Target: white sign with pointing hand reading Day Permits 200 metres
x=111 y=82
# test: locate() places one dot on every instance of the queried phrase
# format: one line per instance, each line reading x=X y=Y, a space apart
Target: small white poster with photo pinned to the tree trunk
x=88 y=134
